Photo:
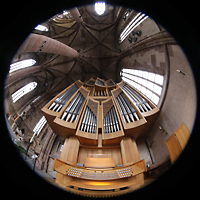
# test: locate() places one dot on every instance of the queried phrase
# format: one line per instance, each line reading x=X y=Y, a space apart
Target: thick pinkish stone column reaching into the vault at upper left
x=41 y=43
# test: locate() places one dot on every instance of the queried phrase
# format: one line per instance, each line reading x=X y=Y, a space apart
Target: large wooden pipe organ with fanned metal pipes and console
x=100 y=121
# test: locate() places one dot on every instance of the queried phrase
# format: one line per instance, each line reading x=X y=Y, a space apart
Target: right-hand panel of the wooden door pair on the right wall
x=183 y=135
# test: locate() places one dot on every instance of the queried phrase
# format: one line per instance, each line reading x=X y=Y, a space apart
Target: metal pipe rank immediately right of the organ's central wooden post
x=110 y=121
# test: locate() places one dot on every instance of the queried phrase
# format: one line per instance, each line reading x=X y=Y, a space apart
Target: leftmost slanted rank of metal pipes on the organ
x=62 y=99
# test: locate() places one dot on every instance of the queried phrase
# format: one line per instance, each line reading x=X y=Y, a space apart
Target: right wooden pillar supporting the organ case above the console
x=129 y=151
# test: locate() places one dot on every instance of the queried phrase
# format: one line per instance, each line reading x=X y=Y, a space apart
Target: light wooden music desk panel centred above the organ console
x=99 y=162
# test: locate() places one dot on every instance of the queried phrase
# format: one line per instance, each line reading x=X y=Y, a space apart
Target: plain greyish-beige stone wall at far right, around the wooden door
x=179 y=105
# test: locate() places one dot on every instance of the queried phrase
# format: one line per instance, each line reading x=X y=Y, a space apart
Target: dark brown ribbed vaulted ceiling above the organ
x=95 y=40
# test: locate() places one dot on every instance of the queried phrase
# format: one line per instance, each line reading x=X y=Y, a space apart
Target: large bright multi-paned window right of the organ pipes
x=150 y=84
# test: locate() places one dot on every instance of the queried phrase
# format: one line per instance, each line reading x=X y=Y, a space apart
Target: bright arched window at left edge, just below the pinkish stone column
x=21 y=64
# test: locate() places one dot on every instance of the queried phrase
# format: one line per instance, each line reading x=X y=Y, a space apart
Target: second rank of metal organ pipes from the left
x=72 y=112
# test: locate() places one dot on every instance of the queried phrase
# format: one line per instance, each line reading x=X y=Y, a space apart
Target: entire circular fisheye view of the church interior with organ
x=95 y=100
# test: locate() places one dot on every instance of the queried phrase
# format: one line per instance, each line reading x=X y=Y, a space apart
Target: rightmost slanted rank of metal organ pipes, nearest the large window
x=140 y=102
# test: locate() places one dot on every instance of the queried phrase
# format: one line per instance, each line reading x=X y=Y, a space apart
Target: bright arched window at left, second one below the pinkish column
x=22 y=91
